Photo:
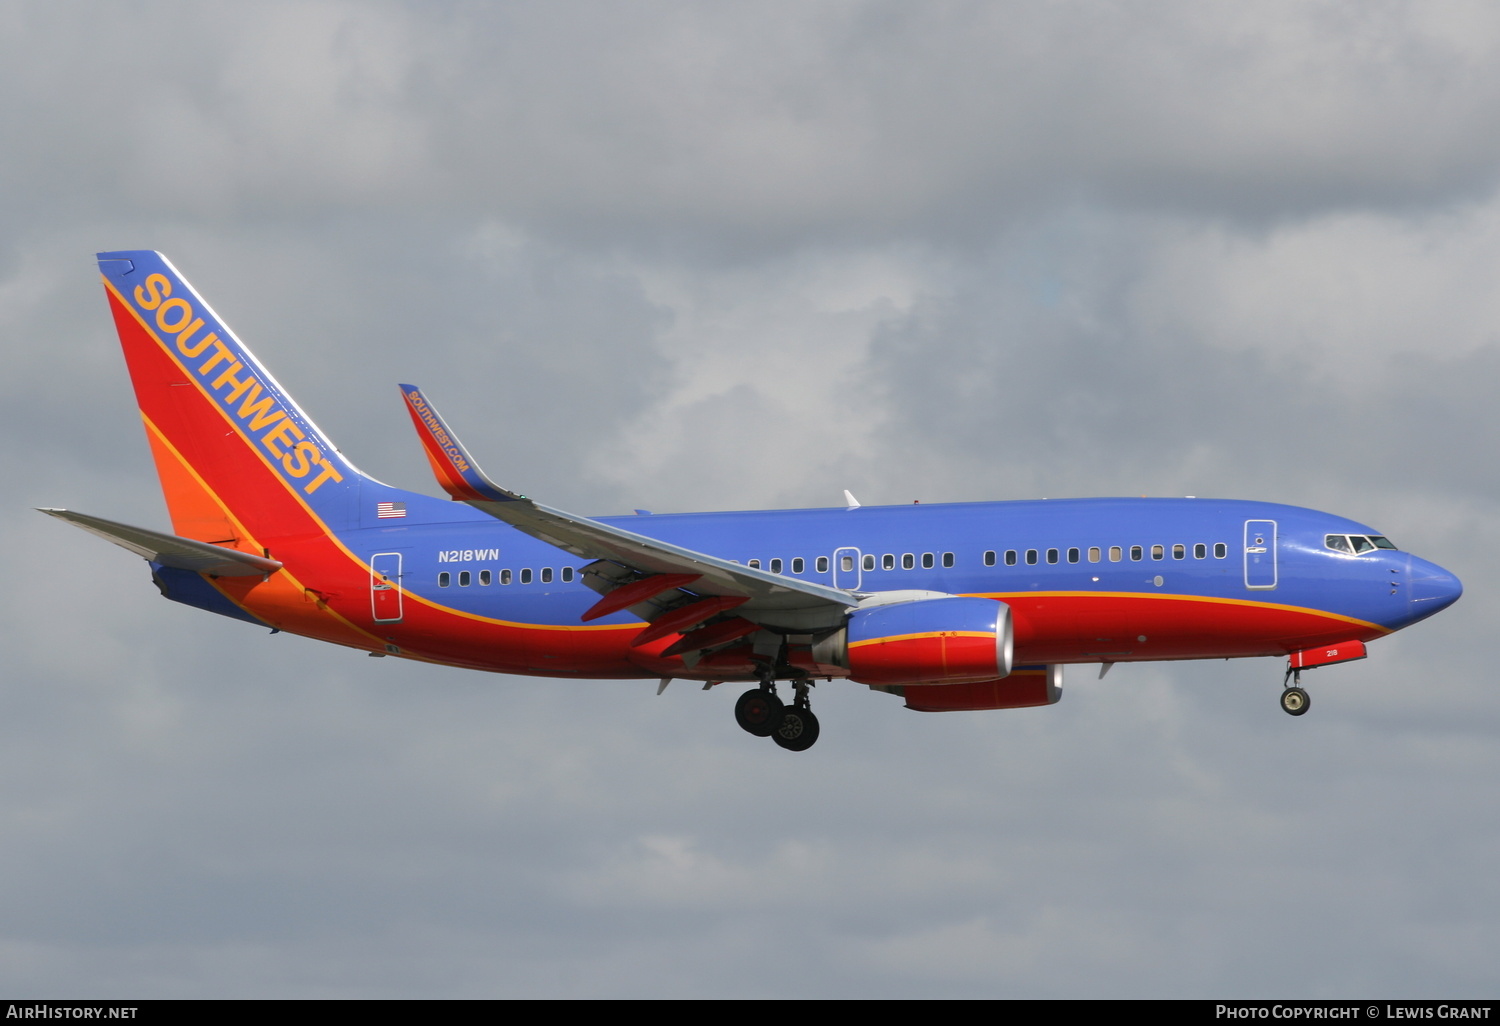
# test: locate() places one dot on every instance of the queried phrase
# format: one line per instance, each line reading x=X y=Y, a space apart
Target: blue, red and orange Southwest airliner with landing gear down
x=950 y=607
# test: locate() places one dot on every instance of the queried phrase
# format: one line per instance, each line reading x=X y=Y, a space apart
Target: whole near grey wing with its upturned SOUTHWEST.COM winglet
x=766 y=598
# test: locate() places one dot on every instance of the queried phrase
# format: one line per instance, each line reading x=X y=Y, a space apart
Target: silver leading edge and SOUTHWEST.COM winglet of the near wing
x=464 y=481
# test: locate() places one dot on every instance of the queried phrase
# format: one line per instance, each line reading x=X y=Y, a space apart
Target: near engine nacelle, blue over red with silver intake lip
x=926 y=643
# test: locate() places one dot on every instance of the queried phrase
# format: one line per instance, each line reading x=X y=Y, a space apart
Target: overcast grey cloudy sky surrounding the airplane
x=737 y=256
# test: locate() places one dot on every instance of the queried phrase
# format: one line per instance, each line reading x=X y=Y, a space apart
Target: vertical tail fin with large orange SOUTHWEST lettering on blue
x=238 y=458
